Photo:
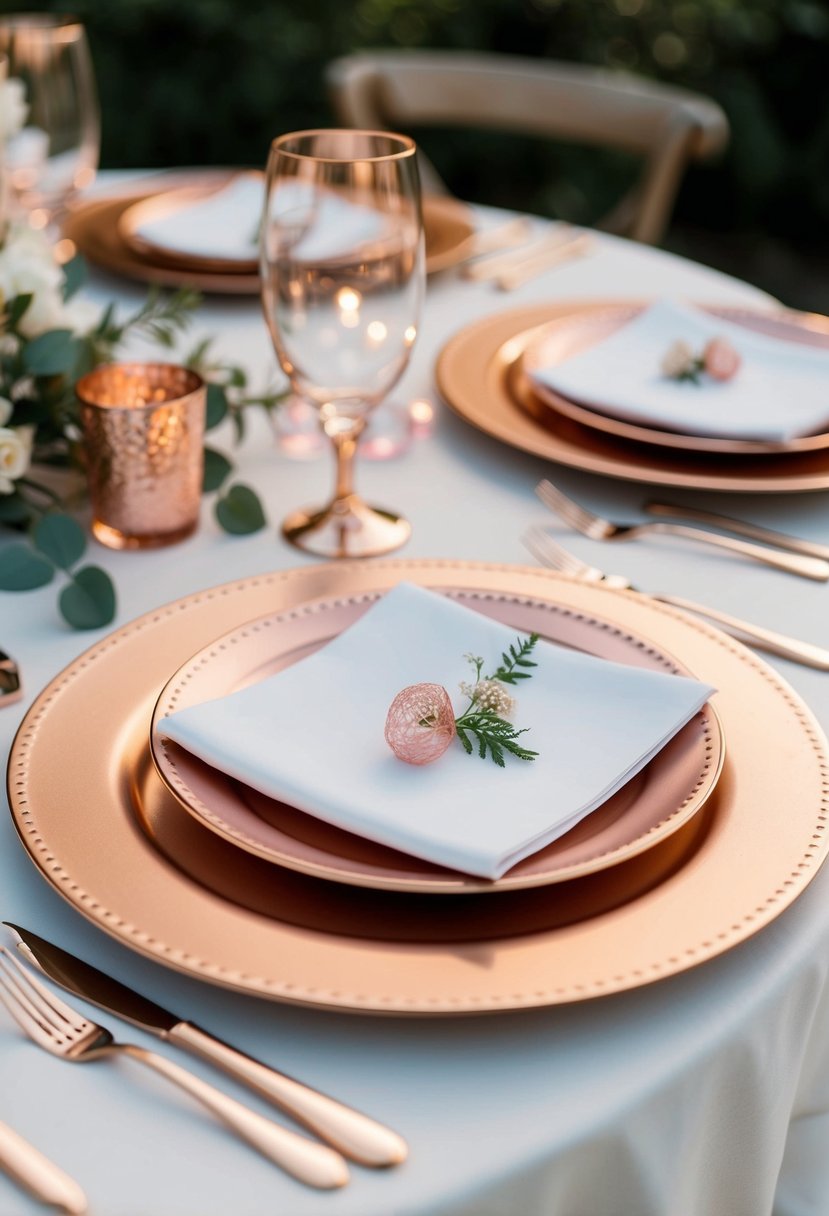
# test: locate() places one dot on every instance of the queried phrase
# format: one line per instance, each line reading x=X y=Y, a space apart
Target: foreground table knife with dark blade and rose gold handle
x=356 y=1135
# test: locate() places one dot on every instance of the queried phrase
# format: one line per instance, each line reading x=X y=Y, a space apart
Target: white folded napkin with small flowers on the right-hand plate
x=781 y=391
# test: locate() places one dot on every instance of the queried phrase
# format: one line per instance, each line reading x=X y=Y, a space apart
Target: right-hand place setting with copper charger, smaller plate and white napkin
x=585 y=385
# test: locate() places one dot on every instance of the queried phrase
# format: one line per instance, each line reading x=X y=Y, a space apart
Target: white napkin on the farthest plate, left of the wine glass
x=224 y=224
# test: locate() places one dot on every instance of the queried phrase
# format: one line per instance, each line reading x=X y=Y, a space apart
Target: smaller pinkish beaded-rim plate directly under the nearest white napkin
x=655 y=804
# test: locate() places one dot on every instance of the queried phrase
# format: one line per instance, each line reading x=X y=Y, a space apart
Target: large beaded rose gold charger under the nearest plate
x=105 y=832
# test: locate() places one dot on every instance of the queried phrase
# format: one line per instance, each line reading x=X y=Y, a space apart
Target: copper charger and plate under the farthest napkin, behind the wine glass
x=103 y=233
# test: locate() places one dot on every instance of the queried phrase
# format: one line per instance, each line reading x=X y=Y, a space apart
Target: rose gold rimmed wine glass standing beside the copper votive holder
x=342 y=283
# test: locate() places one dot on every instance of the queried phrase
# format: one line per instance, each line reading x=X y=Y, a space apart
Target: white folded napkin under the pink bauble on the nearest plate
x=313 y=735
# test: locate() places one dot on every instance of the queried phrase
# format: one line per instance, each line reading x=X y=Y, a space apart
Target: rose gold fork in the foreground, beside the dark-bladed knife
x=61 y=1031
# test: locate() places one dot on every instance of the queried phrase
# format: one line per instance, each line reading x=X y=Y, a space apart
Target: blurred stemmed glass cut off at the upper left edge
x=57 y=154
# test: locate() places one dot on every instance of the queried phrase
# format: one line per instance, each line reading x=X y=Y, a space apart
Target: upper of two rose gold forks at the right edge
x=599 y=528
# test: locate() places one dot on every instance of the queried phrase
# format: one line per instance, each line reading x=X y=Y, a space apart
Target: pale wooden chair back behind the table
x=664 y=126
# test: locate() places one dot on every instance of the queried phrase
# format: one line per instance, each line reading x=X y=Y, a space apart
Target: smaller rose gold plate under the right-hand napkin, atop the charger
x=569 y=336
